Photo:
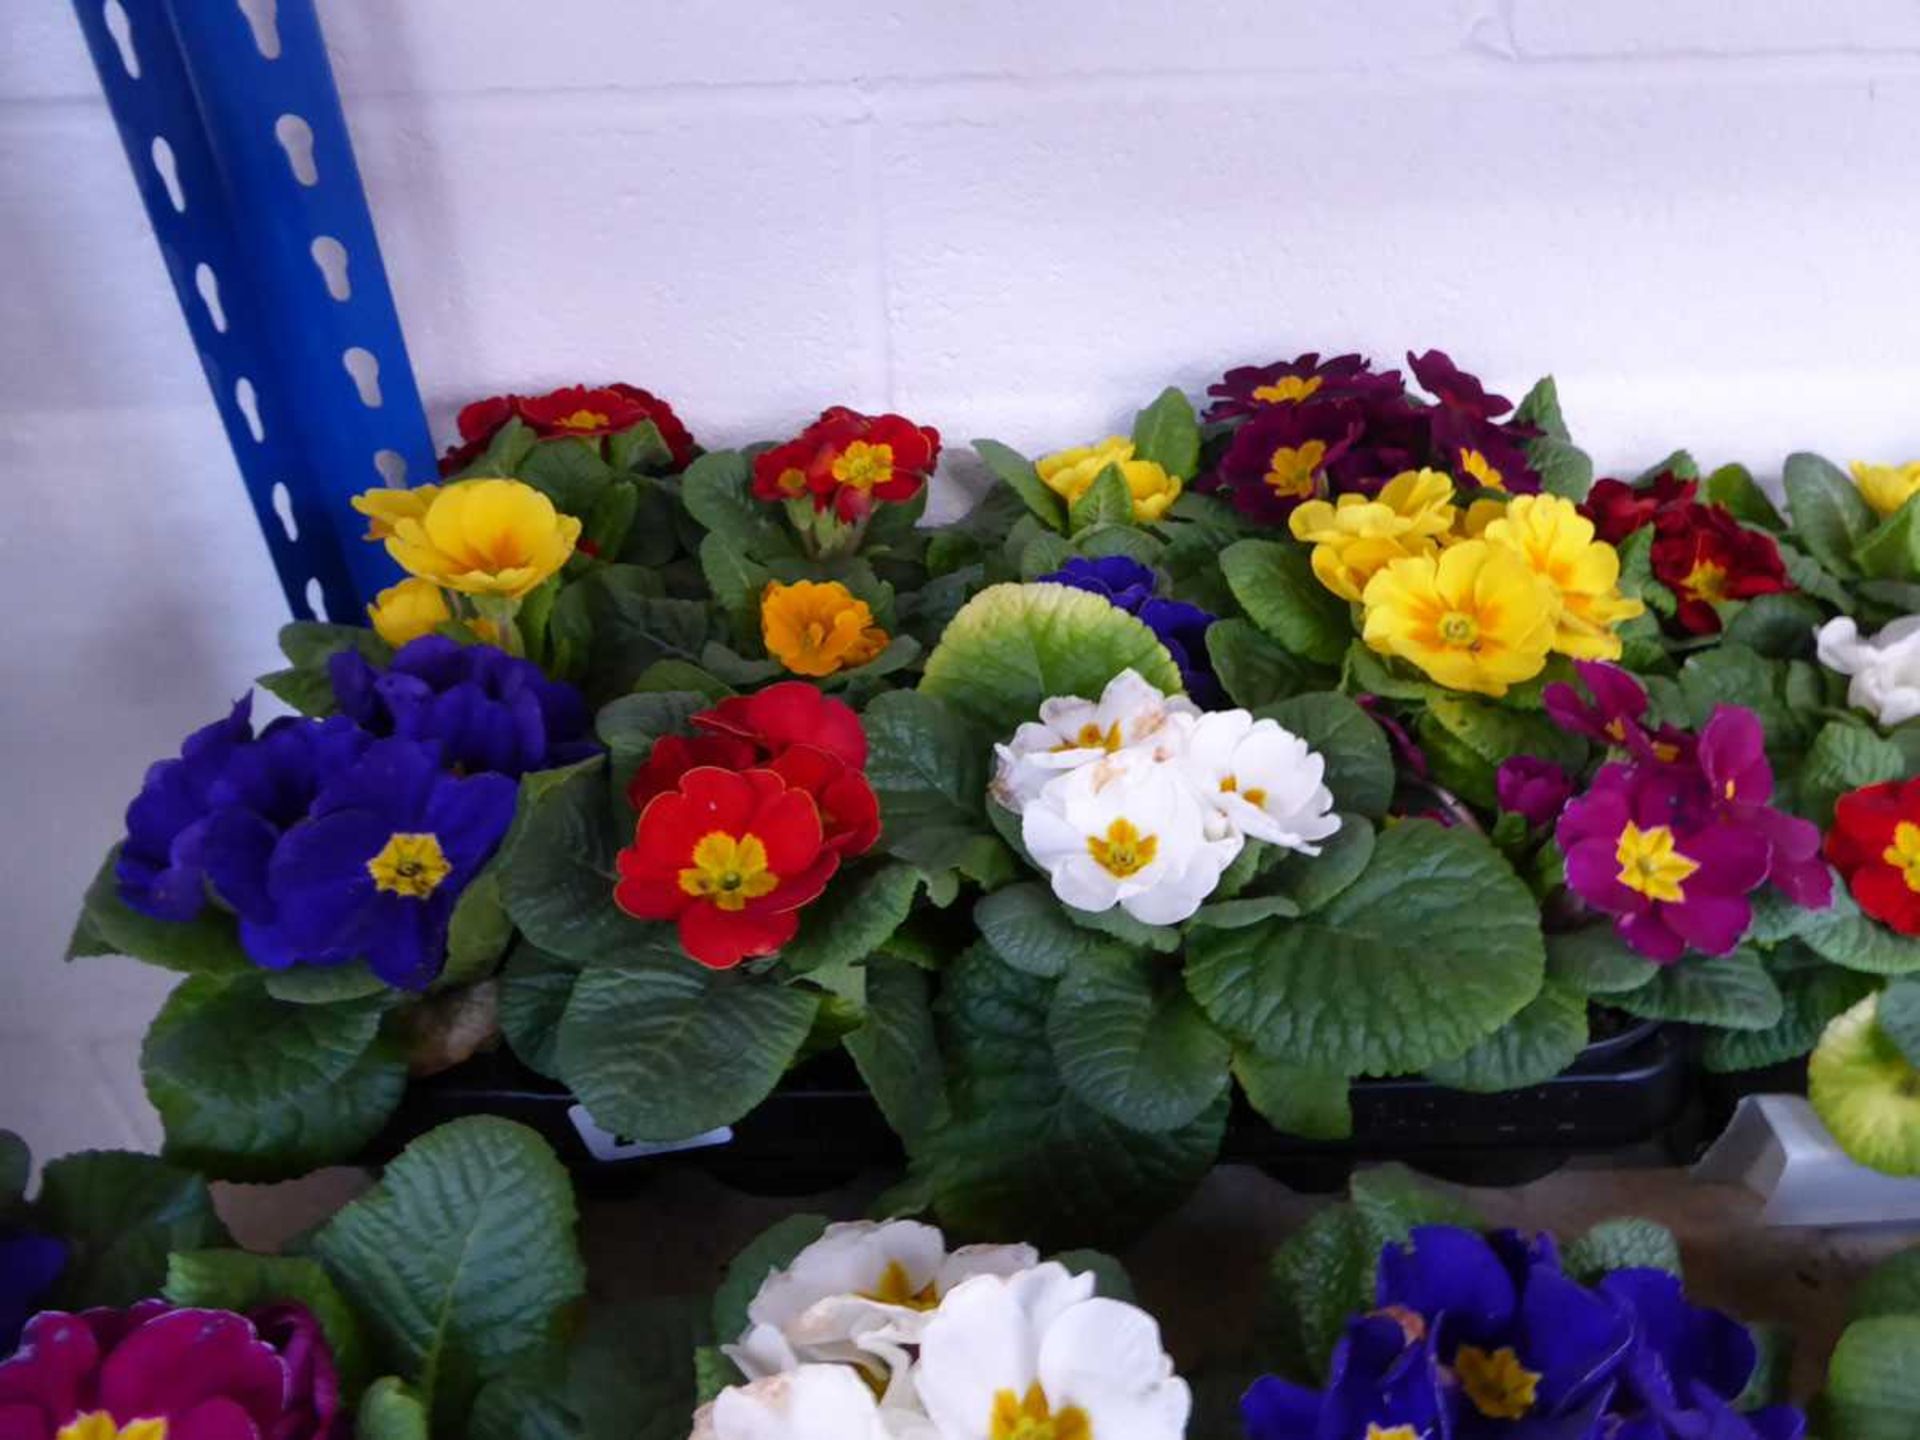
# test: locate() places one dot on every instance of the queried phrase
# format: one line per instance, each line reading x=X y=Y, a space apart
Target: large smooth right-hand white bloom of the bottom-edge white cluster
x=1036 y=1356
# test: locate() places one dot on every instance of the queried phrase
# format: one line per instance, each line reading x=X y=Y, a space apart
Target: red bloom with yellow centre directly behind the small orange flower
x=850 y=462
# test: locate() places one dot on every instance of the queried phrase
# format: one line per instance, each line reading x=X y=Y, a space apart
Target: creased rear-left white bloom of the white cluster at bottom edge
x=857 y=1295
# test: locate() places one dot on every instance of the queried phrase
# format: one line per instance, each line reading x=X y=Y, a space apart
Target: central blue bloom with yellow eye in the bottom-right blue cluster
x=1535 y=1355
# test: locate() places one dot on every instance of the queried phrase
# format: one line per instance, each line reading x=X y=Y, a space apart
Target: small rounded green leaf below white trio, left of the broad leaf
x=1134 y=1045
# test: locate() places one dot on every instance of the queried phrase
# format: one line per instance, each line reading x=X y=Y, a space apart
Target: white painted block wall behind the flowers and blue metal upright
x=1005 y=218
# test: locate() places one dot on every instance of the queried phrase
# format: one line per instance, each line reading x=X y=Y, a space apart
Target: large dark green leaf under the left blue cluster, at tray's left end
x=310 y=1086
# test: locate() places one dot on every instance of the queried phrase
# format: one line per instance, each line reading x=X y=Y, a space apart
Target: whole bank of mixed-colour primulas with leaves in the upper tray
x=1345 y=731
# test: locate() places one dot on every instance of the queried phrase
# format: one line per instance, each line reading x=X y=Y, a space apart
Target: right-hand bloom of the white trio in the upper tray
x=1262 y=779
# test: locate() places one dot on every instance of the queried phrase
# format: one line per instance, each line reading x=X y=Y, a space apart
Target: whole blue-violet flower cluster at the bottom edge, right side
x=1491 y=1337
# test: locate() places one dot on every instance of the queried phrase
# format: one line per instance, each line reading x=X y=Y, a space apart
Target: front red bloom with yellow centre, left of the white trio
x=731 y=857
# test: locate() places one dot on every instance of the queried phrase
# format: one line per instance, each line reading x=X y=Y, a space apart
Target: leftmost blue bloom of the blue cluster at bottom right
x=1385 y=1385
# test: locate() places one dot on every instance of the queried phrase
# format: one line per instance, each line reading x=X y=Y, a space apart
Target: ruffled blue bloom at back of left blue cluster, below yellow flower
x=489 y=709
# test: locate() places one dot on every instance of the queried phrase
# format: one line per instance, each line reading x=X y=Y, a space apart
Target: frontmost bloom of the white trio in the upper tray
x=1132 y=832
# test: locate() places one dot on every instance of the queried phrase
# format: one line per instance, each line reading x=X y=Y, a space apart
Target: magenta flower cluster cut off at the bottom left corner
x=156 y=1372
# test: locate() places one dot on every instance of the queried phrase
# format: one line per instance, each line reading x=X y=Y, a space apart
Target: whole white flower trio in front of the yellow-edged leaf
x=1141 y=800
